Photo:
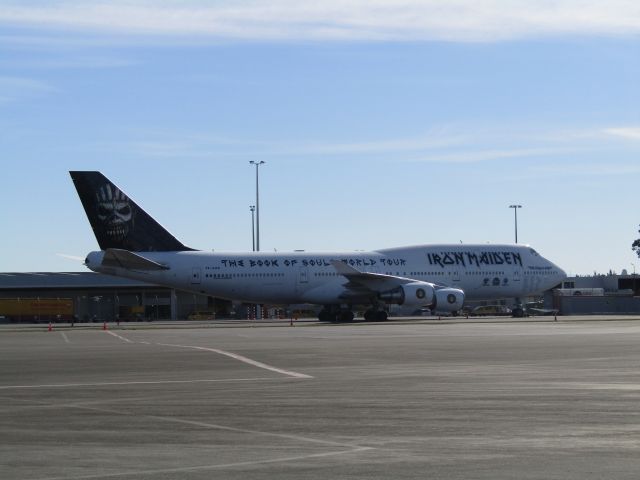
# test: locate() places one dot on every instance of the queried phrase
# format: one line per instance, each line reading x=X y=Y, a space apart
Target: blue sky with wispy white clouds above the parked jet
x=382 y=124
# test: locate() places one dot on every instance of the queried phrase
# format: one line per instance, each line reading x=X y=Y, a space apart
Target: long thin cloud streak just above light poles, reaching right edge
x=447 y=144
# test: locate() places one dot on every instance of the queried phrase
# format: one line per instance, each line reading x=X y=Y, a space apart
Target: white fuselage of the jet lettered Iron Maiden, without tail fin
x=481 y=271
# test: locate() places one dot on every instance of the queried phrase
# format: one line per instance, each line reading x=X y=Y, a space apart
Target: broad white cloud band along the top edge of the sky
x=352 y=20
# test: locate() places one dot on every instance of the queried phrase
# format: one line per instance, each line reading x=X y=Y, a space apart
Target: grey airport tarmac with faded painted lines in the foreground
x=491 y=400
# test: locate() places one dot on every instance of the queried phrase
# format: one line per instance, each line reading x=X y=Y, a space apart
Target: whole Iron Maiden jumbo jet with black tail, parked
x=439 y=276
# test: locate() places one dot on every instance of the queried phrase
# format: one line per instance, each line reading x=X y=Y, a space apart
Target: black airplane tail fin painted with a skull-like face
x=117 y=221
